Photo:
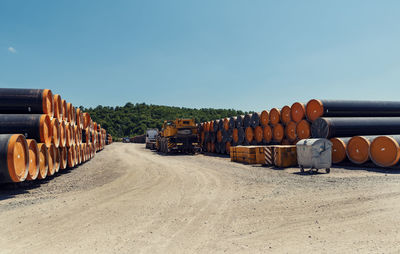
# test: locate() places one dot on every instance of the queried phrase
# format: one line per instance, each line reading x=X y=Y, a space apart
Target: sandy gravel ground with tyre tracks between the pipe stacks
x=132 y=200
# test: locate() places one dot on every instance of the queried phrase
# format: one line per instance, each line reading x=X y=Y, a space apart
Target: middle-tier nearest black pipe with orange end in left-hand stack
x=33 y=126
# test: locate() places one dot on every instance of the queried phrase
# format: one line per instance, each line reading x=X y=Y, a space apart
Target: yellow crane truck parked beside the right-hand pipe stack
x=179 y=135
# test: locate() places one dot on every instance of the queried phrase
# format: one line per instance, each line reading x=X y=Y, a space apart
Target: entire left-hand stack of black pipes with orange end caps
x=40 y=133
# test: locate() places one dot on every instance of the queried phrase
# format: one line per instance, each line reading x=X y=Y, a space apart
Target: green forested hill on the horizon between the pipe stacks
x=134 y=119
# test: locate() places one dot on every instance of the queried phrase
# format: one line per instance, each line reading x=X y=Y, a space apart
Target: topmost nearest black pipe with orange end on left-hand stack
x=26 y=101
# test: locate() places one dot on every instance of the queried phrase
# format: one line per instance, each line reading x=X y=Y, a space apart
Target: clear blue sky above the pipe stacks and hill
x=248 y=55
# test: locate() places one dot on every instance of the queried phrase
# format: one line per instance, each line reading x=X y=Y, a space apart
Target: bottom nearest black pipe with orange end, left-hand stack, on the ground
x=14 y=158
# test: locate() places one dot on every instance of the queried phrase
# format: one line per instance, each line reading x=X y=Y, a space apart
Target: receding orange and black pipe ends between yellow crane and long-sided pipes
x=277 y=126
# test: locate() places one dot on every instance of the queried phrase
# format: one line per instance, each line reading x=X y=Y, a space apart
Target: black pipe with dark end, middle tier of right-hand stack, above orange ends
x=325 y=127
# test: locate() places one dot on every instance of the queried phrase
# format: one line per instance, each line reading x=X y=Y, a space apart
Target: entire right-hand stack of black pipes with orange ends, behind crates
x=359 y=130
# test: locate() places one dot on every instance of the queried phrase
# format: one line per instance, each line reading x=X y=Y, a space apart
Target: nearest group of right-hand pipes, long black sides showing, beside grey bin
x=360 y=131
